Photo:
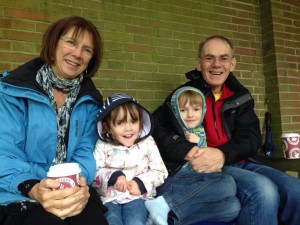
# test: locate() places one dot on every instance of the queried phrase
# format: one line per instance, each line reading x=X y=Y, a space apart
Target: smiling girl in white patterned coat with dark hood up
x=129 y=165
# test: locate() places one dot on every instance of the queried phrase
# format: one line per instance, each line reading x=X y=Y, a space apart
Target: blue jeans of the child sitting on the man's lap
x=195 y=197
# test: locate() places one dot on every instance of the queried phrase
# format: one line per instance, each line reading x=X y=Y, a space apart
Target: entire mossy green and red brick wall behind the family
x=149 y=45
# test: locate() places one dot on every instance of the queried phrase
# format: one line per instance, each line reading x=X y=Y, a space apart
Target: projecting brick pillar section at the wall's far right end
x=281 y=50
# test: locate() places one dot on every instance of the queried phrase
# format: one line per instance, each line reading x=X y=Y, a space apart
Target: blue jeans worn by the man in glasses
x=264 y=193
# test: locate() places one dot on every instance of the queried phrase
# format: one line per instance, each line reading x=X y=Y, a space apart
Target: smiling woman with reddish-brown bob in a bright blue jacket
x=50 y=105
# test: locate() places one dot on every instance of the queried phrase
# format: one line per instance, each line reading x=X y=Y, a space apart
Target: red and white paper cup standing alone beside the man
x=291 y=145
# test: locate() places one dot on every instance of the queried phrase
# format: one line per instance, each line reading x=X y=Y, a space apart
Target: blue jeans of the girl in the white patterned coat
x=131 y=213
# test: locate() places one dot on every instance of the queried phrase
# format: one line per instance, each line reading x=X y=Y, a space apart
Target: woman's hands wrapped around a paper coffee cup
x=62 y=203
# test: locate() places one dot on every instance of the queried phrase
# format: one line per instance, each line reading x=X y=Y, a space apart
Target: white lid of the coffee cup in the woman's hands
x=64 y=169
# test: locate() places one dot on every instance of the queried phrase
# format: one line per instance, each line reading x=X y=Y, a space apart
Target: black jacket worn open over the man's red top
x=238 y=117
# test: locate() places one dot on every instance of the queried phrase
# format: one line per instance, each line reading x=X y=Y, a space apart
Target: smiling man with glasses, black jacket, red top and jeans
x=233 y=137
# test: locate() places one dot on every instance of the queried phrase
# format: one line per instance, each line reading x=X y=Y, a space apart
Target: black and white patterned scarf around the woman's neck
x=48 y=80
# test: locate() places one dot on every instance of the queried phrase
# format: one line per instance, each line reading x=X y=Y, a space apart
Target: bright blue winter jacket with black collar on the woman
x=28 y=130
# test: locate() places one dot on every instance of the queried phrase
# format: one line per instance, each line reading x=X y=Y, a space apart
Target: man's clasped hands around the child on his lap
x=207 y=160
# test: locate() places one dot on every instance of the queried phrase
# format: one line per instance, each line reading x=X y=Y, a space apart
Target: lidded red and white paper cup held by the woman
x=67 y=174
